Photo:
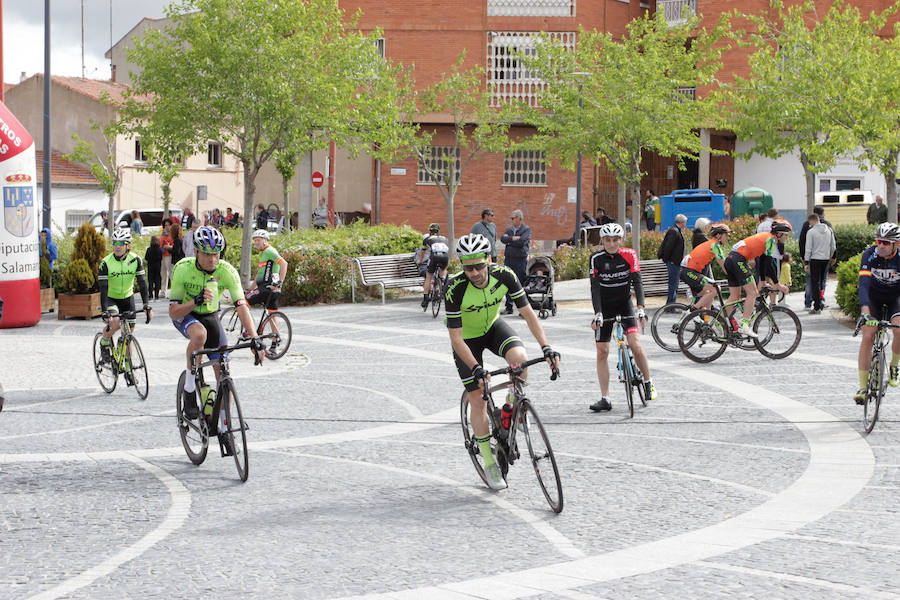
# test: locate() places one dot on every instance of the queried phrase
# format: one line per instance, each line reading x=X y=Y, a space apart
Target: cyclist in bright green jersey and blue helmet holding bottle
x=198 y=283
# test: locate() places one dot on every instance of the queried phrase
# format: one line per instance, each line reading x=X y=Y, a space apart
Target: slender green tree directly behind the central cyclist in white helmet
x=477 y=128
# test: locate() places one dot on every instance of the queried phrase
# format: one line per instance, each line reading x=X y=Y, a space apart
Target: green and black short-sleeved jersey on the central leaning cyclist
x=474 y=309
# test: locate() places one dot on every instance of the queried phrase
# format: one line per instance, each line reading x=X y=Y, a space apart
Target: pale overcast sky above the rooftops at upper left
x=23 y=34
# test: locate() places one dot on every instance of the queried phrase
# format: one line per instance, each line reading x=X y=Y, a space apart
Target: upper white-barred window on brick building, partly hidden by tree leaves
x=507 y=75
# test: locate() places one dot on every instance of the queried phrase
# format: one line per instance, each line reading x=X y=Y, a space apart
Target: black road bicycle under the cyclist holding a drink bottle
x=231 y=430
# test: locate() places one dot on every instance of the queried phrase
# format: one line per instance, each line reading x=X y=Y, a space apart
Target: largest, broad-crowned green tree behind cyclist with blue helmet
x=266 y=76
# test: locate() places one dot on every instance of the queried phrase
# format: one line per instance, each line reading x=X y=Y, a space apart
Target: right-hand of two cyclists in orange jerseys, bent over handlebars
x=740 y=274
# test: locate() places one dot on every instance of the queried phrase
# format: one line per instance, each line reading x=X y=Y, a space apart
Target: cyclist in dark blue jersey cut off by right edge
x=879 y=299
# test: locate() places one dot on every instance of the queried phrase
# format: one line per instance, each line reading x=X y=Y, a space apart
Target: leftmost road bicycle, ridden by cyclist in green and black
x=125 y=357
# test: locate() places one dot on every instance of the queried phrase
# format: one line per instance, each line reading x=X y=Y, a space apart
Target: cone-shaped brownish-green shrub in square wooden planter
x=81 y=297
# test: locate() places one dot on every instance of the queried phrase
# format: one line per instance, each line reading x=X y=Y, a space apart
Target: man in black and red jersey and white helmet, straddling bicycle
x=614 y=271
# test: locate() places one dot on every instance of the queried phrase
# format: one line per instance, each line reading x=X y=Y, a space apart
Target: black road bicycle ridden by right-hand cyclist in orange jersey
x=704 y=334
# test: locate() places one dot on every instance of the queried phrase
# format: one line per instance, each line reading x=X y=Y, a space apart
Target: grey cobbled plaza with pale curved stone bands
x=747 y=478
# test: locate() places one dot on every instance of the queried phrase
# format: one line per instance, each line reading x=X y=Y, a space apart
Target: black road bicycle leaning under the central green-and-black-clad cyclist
x=503 y=439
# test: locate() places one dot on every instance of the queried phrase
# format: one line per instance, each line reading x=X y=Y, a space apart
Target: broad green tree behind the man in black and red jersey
x=632 y=94
